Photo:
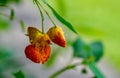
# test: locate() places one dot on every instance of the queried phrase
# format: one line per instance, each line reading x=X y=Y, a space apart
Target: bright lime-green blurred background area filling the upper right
x=95 y=20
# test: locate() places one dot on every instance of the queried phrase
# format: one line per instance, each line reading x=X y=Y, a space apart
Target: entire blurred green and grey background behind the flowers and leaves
x=93 y=20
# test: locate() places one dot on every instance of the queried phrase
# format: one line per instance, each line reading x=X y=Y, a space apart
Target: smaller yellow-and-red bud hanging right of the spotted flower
x=57 y=36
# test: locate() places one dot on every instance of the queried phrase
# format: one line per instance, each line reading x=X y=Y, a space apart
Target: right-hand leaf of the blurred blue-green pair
x=97 y=50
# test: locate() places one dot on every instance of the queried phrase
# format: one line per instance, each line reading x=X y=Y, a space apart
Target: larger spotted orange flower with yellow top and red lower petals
x=39 y=49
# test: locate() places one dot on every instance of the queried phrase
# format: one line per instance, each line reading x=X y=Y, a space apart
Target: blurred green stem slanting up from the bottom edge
x=63 y=70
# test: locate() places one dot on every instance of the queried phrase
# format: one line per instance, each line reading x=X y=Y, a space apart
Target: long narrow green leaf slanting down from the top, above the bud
x=60 y=18
